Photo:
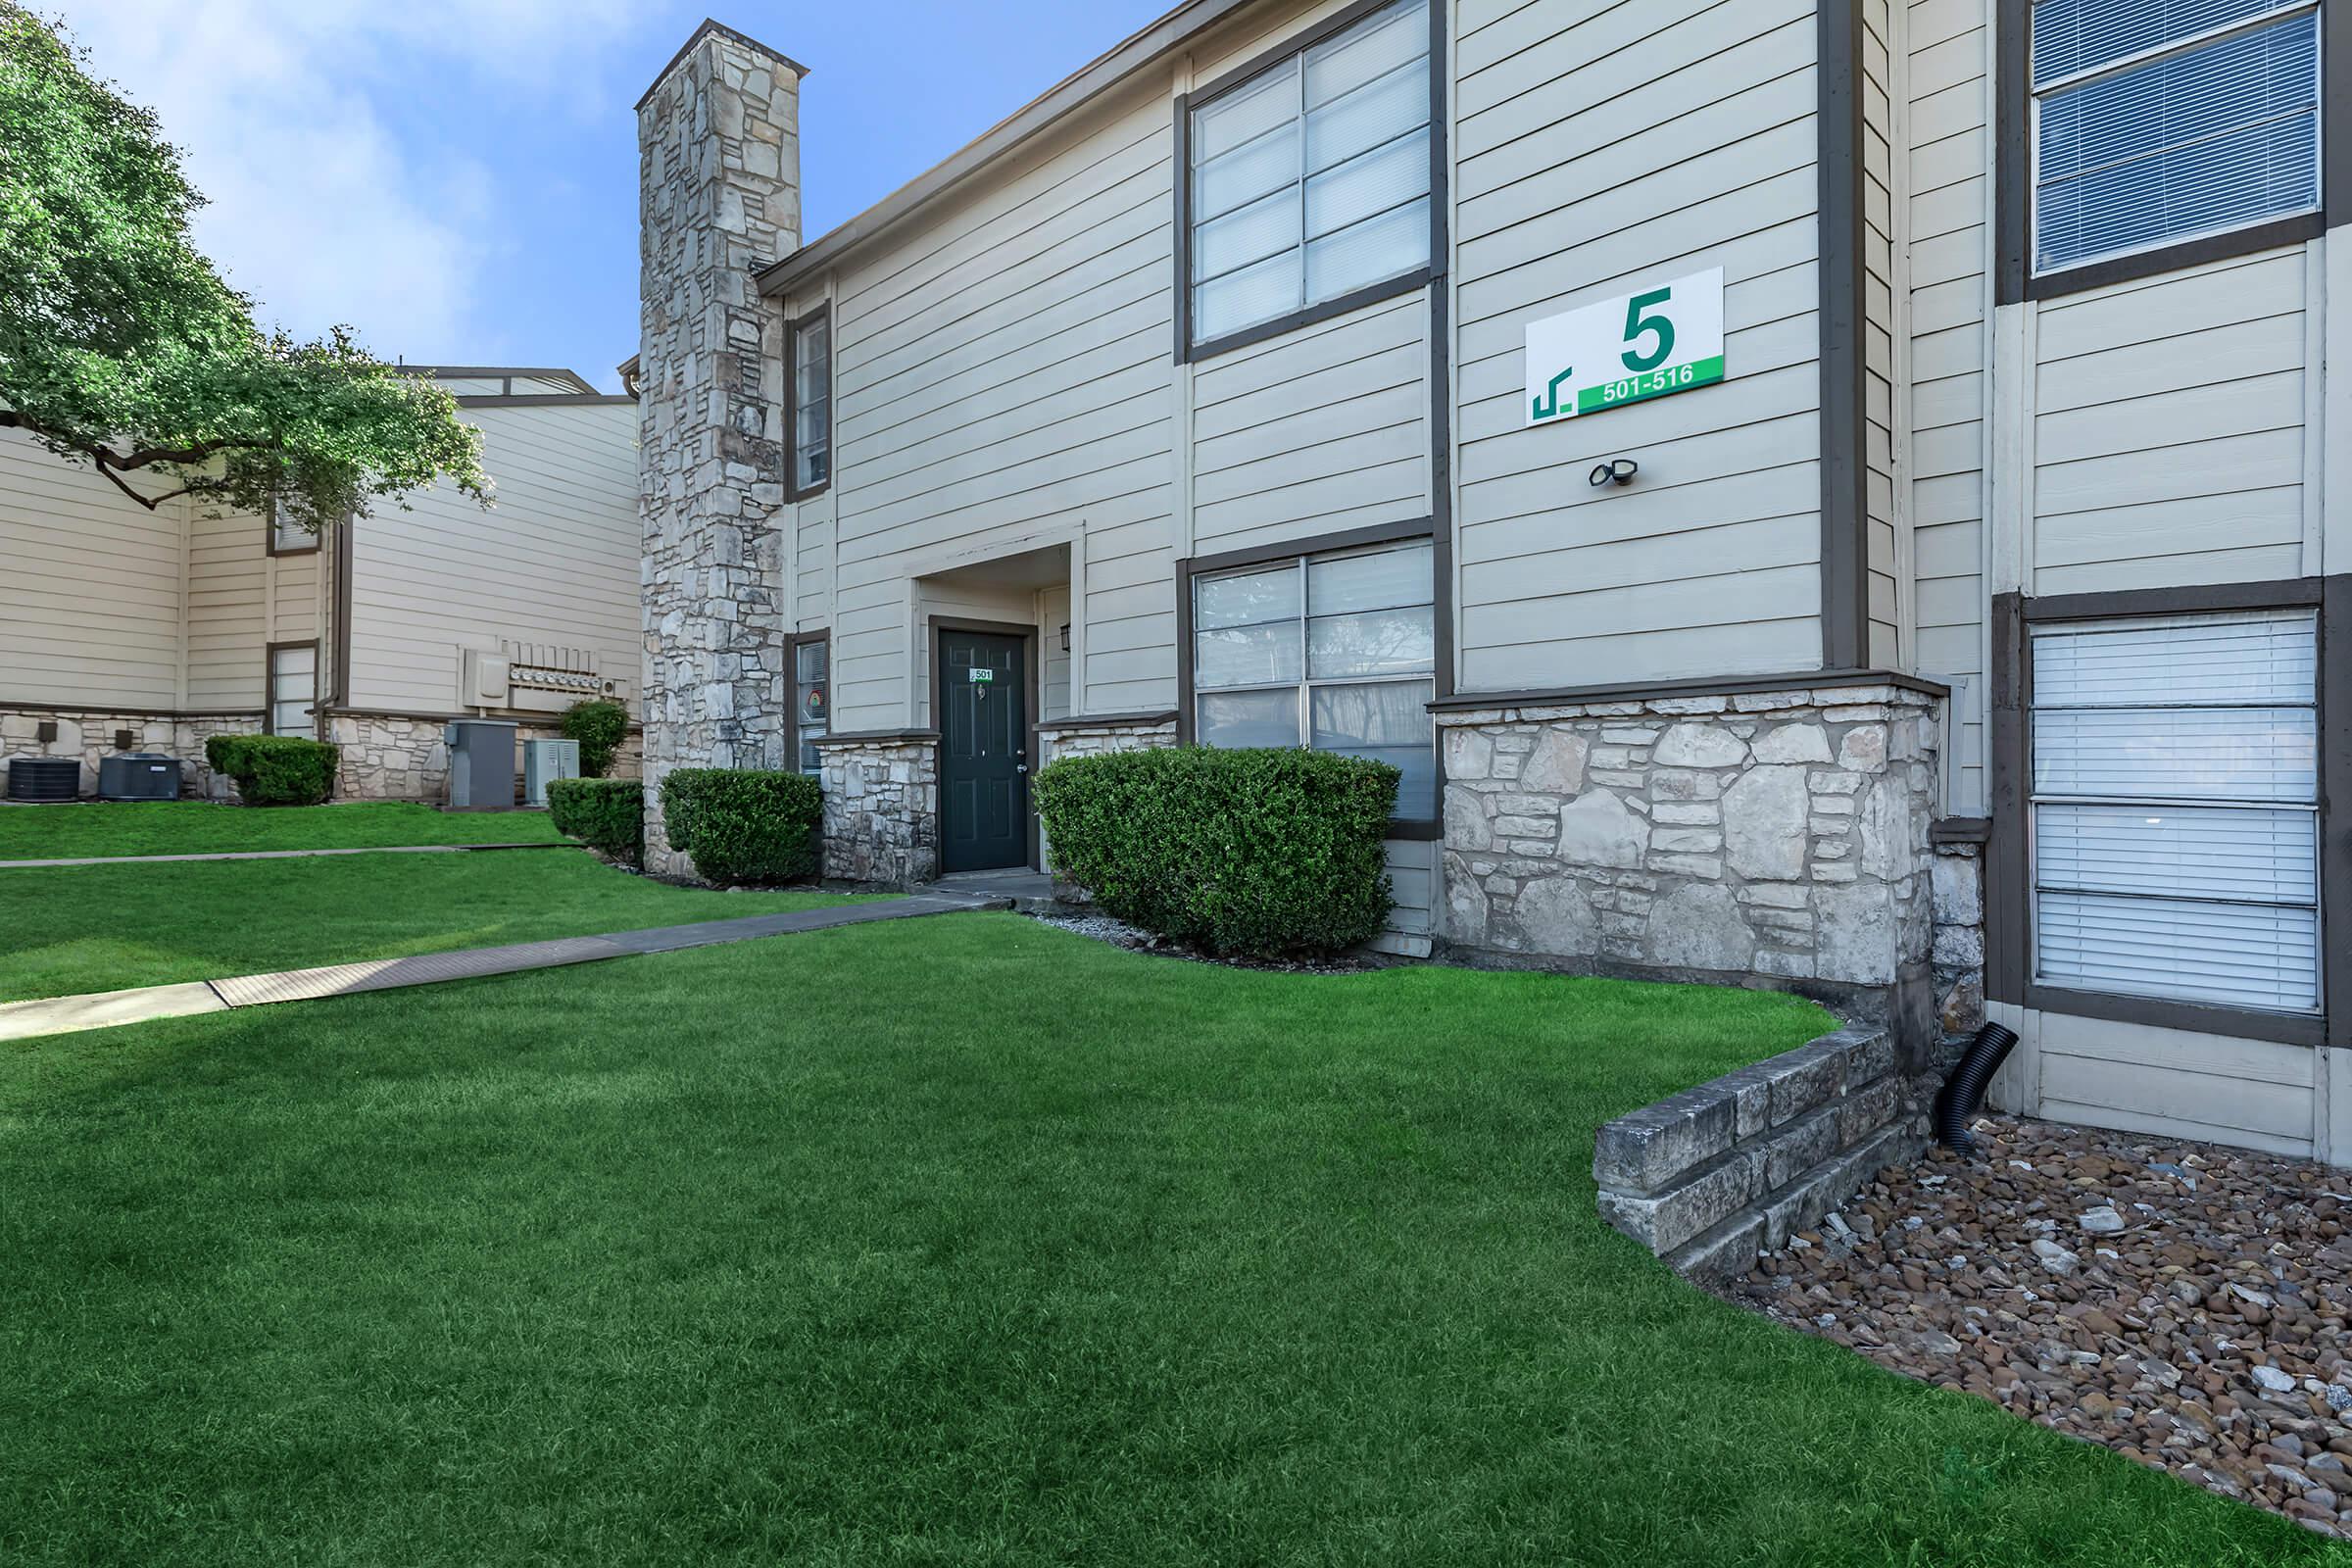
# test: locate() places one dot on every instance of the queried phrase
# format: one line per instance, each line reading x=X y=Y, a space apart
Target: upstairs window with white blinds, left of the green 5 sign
x=1311 y=180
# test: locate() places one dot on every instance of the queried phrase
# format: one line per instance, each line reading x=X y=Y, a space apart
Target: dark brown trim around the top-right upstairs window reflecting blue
x=2014 y=166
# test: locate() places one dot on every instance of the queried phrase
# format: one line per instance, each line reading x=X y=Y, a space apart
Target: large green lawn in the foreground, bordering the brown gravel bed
x=947 y=1242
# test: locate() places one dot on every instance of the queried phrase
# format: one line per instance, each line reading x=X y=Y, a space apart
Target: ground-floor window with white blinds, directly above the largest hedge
x=1330 y=652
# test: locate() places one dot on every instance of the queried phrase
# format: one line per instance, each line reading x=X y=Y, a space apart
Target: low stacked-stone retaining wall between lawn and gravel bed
x=1723 y=1172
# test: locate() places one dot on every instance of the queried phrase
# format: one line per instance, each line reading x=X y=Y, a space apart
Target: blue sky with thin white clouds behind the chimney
x=460 y=177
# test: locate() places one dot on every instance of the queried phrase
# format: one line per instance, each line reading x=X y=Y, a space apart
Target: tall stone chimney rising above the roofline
x=719 y=196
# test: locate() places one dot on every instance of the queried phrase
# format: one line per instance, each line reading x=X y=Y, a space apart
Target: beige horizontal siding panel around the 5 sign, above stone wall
x=1598 y=147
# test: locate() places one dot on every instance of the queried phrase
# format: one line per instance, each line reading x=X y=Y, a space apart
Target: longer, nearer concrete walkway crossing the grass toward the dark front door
x=109 y=1010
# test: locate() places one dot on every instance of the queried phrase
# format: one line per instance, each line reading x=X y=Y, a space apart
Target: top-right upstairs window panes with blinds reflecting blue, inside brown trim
x=2163 y=121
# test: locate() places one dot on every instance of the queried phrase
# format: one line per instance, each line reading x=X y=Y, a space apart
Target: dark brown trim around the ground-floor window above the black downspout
x=2007 y=864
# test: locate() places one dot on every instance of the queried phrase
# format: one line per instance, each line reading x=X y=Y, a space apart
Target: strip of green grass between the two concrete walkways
x=109 y=927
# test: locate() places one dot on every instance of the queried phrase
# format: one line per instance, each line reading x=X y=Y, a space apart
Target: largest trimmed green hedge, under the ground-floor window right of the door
x=1241 y=852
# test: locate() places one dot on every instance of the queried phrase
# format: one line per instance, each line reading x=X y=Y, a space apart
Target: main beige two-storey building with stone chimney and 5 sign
x=1196 y=403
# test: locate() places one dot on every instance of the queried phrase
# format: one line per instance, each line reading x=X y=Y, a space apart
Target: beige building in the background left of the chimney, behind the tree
x=126 y=629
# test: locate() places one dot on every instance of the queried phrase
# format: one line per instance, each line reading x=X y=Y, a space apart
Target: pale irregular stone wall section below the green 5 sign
x=1758 y=838
